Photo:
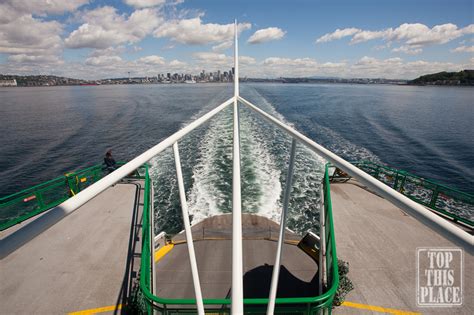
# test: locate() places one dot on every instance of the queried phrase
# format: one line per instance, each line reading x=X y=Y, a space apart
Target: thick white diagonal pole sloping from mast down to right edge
x=419 y=212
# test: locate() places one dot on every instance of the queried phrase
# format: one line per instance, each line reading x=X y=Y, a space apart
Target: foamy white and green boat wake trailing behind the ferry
x=206 y=157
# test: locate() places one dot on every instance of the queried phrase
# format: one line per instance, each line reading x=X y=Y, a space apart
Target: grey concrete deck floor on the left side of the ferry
x=79 y=263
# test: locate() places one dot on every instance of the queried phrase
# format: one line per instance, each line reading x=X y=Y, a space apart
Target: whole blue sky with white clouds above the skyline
x=96 y=39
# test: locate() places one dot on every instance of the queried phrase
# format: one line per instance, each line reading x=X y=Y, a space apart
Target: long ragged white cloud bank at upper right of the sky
x=412 y=34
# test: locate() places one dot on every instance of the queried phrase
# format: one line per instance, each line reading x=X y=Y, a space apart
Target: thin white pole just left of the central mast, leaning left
x=187 y=229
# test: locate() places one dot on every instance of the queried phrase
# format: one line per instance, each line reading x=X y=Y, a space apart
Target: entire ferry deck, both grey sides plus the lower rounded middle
x=87 y=262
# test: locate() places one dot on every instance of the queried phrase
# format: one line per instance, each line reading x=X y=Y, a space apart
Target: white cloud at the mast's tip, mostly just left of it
x=194 y=32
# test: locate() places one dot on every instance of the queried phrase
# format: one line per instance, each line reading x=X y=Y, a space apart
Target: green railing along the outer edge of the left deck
x=35 y=200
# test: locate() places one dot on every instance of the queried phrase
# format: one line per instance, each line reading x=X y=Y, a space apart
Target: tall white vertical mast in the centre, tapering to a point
x=237 y=272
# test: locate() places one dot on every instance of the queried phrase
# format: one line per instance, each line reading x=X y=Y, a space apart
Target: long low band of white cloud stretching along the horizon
x=366 y=67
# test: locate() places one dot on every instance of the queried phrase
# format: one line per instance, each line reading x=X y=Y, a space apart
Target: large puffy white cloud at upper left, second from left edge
x=104 y=27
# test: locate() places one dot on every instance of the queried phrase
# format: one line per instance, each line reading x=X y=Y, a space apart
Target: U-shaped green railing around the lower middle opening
x=302 y=305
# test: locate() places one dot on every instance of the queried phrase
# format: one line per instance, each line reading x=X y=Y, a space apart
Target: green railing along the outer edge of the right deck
x=452 y=203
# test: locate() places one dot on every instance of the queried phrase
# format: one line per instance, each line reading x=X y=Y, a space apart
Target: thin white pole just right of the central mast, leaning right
x=284 y=212
